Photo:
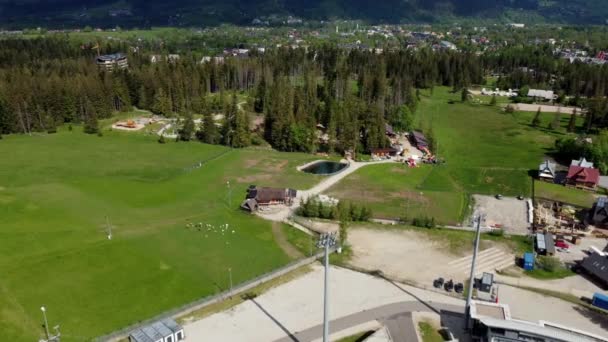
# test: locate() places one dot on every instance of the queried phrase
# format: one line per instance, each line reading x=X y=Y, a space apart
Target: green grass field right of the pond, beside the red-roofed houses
x=486 y=151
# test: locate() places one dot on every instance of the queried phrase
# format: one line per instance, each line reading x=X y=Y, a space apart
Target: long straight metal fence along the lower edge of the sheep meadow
x=206 y=301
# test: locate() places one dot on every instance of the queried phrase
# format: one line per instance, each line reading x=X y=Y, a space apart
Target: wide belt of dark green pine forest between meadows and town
x=47 y=82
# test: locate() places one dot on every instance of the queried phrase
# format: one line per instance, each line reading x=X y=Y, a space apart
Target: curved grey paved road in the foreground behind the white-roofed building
x=397 y=317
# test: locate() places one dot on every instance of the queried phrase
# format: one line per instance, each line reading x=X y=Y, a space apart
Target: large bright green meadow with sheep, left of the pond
x=55 y=193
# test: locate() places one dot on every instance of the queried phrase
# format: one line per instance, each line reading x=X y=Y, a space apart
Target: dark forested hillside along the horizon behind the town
x=77 y=13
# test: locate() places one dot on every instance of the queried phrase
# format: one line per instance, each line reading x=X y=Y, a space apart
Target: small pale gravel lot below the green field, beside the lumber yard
x=510 y=213
